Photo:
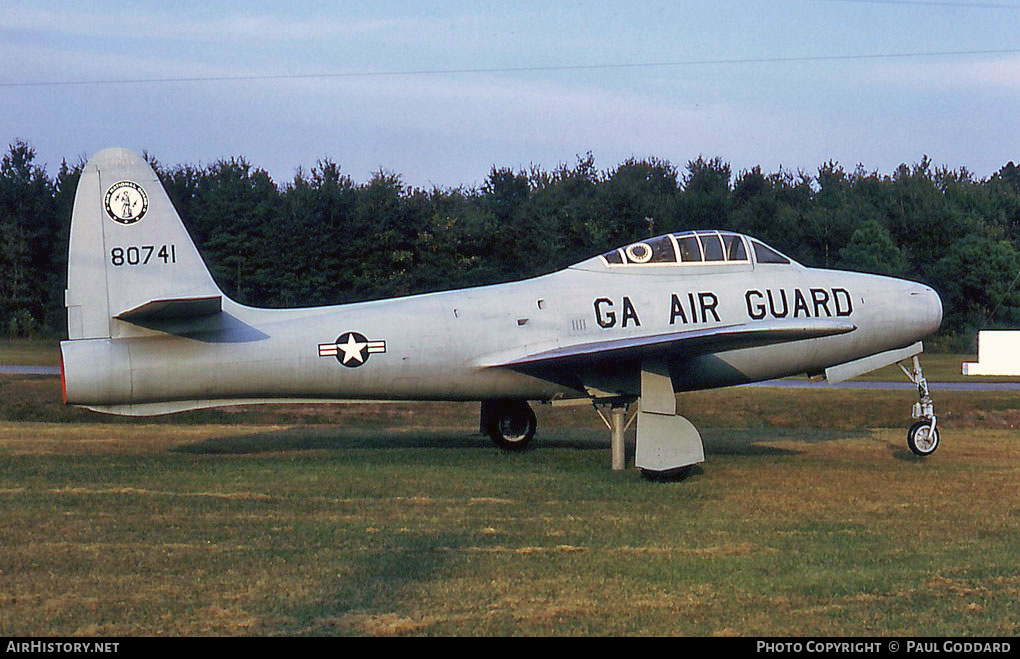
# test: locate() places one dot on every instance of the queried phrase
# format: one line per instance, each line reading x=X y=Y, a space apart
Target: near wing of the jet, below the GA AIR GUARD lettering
x=684 y=343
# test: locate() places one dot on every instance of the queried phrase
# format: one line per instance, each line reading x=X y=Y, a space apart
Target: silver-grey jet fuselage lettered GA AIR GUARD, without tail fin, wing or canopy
x=442 y=346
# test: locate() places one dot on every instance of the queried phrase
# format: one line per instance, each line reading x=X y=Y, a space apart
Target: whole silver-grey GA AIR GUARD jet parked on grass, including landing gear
x=150 y=332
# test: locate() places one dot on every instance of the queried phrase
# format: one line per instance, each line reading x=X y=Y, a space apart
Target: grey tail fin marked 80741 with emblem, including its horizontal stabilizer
x=131 y=258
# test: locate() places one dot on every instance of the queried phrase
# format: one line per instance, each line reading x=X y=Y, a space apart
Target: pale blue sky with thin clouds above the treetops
x=442 y=92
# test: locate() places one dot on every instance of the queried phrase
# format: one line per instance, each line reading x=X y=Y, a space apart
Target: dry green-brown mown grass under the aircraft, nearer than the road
x=809 y=518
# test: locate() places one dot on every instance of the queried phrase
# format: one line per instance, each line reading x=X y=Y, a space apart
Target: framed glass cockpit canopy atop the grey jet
x=694 y=248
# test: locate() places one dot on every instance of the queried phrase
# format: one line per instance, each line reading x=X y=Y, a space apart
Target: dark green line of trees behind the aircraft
x=326 y=239
